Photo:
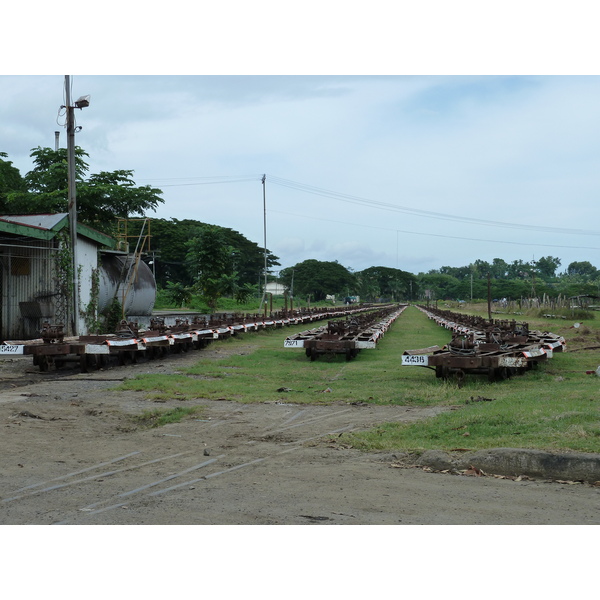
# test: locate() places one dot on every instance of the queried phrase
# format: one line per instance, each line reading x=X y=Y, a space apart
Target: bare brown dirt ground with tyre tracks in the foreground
x=72 y=455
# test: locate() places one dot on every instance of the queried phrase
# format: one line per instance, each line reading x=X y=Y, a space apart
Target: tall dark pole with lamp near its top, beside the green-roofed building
x=80 y=103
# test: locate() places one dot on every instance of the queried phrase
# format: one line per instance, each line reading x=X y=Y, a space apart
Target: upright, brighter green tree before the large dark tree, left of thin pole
x=211 y=262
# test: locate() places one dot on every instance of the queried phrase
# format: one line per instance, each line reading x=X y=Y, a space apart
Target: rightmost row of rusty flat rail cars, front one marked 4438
x=496 y=348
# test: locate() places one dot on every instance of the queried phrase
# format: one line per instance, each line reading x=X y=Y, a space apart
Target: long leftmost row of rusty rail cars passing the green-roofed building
x=130 y=343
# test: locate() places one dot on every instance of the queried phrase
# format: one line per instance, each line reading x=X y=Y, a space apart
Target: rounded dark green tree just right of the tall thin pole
x=318 y=278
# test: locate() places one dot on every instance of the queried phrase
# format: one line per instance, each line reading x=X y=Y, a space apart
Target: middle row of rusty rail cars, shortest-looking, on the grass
x=347 y=336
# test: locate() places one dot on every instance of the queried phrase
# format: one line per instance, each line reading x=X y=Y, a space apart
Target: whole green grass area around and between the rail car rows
x=554 y=406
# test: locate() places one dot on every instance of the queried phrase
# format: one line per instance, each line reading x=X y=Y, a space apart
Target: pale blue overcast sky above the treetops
x=409 y=171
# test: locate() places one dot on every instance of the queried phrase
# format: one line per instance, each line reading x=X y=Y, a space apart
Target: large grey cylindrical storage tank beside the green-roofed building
x=116 y=270
